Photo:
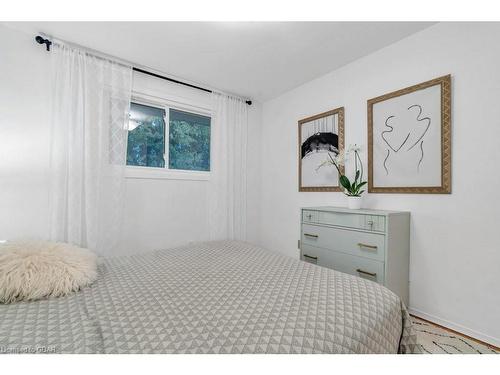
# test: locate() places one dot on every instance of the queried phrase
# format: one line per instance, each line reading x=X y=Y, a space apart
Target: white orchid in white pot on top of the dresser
x=353 y=189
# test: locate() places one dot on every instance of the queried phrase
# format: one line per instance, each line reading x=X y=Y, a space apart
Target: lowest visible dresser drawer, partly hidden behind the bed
x=363 y=267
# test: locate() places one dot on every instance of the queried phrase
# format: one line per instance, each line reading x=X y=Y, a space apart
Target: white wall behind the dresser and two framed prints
x=455 y=248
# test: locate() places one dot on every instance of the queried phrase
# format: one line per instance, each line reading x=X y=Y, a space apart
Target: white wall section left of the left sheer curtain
x=24 y=136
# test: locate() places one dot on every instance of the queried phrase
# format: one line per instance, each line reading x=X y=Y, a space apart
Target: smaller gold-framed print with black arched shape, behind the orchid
x=318 y=136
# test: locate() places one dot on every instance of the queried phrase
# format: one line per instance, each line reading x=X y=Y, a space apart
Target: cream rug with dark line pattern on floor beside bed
x=436 y=340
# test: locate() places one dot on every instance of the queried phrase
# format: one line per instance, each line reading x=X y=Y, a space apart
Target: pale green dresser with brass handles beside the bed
x=373 y=244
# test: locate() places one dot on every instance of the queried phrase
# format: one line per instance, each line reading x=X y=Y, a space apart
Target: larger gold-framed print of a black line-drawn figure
x=409 y=139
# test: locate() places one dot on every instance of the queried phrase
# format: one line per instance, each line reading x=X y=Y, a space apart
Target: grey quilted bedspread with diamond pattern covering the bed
x=214 y=297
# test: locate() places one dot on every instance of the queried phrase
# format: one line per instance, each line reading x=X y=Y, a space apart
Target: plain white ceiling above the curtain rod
x=258 y=60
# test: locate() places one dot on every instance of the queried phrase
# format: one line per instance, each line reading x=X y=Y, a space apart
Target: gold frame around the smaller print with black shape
x=339 y=113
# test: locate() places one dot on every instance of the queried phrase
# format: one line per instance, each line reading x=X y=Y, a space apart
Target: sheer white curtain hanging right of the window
x=227 y=192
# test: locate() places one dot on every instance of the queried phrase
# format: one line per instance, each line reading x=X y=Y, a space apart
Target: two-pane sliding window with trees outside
x=168 y=138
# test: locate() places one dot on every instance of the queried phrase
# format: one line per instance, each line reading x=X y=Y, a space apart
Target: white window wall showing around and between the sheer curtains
x=160 y=213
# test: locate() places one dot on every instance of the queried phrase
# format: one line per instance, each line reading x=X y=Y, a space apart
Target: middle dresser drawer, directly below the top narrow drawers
x=362 y=244
